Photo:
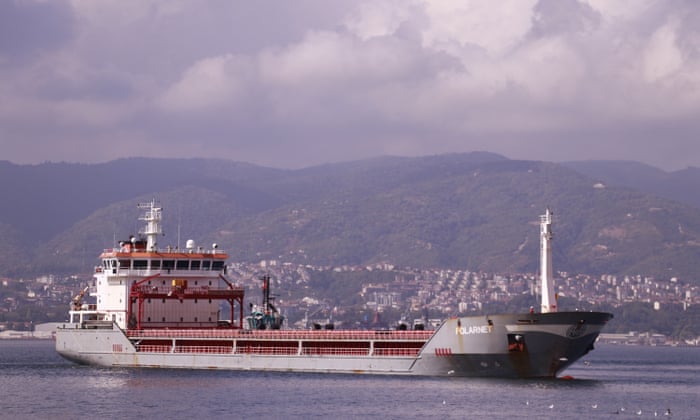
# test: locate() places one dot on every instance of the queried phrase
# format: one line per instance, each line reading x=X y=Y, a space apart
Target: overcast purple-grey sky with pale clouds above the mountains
x=296 y=83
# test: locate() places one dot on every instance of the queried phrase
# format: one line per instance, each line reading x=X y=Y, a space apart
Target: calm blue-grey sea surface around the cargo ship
x=611 y=382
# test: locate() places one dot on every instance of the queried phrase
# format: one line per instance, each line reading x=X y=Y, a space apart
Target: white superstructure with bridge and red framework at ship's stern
x=138 y=285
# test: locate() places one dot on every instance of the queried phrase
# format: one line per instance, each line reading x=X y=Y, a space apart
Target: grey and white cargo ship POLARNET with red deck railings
x=162 y=308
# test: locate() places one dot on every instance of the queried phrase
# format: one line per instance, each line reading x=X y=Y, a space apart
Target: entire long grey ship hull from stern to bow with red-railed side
x=505 y=346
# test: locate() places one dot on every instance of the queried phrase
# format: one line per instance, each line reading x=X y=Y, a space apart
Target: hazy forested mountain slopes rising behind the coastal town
x=475 y=211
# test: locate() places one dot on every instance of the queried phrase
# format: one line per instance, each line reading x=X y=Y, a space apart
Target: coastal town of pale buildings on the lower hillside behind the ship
x=380 y=296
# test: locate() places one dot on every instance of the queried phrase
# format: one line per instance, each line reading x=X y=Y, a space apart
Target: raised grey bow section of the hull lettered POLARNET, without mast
x=546 y=345
